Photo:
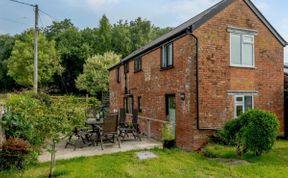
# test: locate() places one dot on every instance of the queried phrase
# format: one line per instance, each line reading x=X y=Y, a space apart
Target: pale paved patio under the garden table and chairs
x=127 y=145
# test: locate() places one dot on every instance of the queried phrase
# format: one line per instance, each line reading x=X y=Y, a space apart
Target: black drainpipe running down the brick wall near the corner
x=190 y=32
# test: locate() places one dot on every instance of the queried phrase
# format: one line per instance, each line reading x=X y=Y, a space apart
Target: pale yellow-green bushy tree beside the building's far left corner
x=95 y=74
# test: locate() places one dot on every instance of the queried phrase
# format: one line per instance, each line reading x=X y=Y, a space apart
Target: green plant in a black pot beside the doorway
x=168 y=136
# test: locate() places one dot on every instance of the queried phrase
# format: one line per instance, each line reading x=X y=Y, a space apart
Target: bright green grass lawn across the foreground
x=170 y=163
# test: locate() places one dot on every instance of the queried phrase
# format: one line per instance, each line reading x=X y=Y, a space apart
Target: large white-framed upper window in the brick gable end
x=242 y=50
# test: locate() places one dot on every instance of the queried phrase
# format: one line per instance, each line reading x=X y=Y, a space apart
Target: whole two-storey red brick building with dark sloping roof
x=204 y=72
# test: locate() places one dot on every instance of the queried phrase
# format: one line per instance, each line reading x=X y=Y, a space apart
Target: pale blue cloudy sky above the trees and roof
x=15 y=18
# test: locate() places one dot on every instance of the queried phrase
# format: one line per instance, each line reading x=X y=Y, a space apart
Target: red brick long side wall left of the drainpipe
x=152 y=85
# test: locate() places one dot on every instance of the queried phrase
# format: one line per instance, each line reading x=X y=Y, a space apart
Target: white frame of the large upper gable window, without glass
x=242 y=42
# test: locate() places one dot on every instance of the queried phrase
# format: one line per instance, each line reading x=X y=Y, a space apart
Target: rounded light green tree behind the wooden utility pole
x=20 y=64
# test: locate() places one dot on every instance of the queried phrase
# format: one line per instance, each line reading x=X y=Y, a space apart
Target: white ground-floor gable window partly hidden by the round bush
x=243 y=104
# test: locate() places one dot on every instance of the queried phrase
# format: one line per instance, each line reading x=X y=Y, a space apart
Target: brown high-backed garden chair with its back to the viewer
x=109 y=130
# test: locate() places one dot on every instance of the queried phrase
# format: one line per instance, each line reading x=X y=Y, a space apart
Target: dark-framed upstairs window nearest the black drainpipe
x=167 y=56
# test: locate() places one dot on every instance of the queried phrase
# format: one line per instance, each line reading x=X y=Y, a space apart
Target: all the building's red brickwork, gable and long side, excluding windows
x=216 y=77
